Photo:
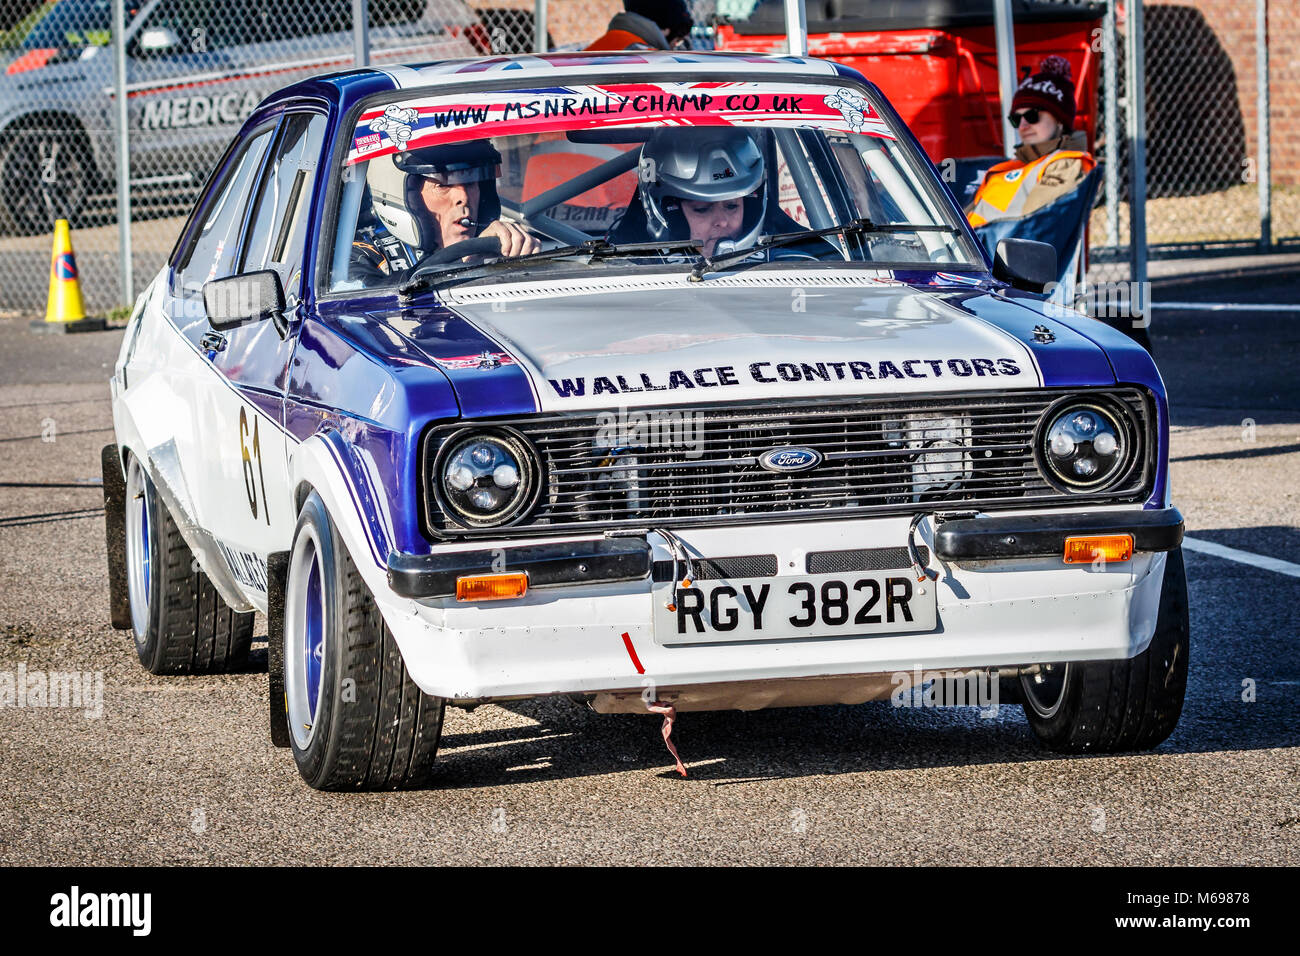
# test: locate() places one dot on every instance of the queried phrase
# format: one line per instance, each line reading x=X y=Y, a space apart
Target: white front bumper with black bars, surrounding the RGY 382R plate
x=995 y=609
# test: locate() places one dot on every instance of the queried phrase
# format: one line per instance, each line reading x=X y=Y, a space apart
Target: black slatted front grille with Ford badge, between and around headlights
x=699 y=466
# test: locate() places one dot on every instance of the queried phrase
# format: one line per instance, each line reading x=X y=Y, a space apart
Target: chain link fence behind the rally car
x=197 y=68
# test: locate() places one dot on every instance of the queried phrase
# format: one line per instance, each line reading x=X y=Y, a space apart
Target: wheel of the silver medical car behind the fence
x=46 y=175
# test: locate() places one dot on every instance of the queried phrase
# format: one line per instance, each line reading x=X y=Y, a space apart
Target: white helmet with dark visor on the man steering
x=396 y=181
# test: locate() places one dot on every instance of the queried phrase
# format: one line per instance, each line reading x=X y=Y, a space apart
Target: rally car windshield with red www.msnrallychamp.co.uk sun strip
x=596 y=176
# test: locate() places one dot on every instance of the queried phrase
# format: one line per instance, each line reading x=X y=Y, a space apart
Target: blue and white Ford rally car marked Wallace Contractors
x=664 y=382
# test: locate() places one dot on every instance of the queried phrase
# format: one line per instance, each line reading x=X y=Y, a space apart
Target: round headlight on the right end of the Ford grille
x=1086 y=447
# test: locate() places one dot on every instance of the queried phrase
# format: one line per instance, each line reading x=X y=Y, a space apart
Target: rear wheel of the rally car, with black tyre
x=180 y=622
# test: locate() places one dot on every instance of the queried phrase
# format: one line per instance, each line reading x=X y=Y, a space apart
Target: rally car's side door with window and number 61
x=246 y=499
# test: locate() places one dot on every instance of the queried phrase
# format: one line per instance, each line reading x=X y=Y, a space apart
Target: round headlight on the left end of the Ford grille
x=486 y=478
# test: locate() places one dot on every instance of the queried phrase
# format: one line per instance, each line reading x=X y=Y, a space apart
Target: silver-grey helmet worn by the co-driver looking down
x=704 y=165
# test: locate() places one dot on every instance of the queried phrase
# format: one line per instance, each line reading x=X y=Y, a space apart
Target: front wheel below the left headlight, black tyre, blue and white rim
x=357 y=721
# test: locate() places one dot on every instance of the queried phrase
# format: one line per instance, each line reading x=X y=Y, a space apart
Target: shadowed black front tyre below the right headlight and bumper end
x=1119 y=706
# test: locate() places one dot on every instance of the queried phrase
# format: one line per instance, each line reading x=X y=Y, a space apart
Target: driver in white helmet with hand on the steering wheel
x=434 y=198
